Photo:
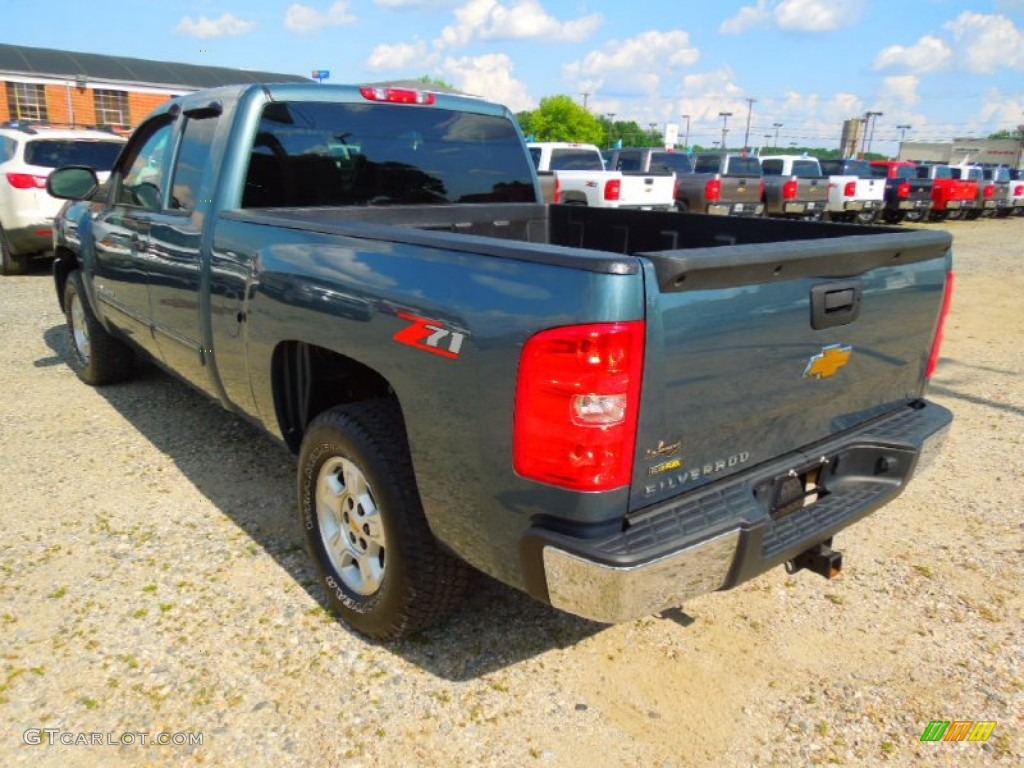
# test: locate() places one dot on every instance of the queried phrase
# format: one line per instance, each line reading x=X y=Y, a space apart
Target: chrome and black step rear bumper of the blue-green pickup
x=722 y=535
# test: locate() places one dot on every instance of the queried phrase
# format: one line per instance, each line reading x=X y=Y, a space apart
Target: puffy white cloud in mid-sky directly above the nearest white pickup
x=636 y=65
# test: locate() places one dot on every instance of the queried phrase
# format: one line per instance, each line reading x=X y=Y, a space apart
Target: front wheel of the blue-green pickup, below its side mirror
x=97 y=357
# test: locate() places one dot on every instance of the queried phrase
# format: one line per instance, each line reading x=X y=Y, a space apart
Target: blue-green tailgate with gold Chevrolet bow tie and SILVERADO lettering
x=755 y=351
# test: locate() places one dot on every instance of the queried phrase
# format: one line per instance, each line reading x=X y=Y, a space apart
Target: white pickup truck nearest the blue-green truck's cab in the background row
x=582 y=180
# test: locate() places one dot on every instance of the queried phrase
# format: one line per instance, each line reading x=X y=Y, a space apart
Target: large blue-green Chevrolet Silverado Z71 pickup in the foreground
x=613 y=411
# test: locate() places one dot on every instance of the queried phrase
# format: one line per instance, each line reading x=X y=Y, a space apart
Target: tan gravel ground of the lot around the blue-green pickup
x=153 y=581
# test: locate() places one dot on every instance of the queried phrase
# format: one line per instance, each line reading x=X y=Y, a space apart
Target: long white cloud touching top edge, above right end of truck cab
x=514 y=20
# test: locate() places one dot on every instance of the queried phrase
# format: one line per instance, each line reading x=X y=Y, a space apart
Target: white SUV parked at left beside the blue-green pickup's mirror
x=28 y=154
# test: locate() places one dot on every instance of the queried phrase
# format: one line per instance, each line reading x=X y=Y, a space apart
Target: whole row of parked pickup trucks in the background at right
x=790 y=186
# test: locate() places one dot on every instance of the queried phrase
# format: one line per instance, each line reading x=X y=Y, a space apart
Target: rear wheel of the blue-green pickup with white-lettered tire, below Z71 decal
x=385 y=573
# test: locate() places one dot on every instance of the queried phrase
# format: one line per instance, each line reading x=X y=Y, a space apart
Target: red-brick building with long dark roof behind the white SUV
x=45 y=86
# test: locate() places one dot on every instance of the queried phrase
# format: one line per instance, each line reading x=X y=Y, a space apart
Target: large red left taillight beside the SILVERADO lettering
x=578 y=399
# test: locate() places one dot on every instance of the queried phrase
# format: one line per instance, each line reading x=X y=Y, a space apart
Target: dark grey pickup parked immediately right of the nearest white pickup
x=722 y=185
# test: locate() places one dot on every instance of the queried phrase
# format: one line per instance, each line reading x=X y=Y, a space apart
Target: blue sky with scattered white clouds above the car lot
x=946 y=68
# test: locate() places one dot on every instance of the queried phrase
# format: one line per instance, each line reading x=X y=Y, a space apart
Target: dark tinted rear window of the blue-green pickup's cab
x=328 y=154
